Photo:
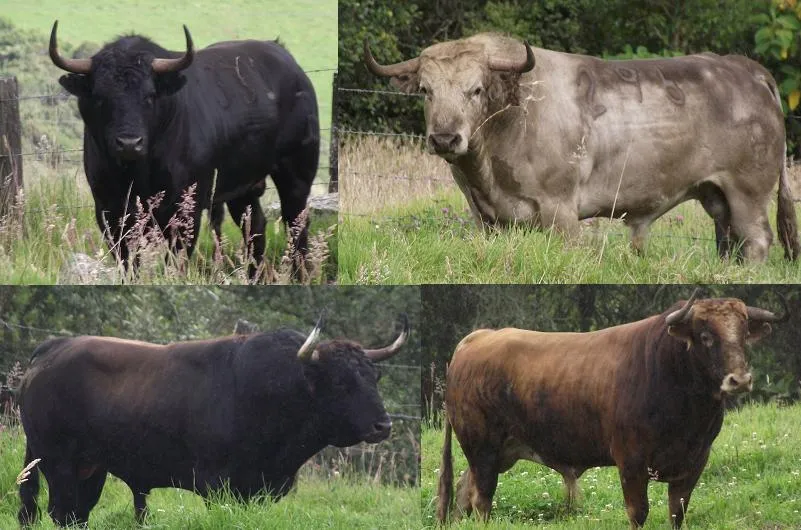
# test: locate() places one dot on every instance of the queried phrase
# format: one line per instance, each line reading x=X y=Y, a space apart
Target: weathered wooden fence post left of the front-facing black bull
x=10 y=143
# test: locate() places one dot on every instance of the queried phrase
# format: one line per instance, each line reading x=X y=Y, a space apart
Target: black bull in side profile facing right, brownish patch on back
x=244 y=411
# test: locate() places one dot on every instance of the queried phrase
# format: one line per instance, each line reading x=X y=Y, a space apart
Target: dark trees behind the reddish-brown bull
x=451 y=313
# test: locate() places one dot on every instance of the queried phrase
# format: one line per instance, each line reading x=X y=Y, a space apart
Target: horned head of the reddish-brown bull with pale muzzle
x=717 y=330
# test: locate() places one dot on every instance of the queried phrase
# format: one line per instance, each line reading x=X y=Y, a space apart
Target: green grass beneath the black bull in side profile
x=345 y=503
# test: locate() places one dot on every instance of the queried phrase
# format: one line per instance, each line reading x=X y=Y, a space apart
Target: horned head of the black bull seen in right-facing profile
x=344 y=382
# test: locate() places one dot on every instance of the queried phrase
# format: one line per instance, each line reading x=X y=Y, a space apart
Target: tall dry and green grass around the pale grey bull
x=405 y=221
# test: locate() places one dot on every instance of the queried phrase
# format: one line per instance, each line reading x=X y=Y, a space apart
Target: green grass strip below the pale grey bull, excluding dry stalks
x=435 y=240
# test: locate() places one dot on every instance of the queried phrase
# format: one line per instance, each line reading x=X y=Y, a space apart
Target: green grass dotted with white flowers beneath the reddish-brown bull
x=752 y=480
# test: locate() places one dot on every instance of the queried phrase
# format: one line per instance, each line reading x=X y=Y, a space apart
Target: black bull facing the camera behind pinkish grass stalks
x=159 y=121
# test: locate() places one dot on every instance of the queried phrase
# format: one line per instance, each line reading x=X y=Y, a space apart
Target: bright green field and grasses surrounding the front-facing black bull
x=57 y=218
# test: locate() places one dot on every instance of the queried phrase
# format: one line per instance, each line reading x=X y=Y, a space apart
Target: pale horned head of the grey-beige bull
x=459 y=81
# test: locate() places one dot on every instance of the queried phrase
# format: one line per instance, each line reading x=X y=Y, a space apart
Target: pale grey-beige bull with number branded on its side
x=545 y=138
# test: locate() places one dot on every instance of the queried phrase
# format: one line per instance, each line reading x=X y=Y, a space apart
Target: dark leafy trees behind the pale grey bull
x=608 y=28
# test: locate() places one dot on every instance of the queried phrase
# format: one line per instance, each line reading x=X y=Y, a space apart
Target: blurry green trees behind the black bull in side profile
x=30 y=315
